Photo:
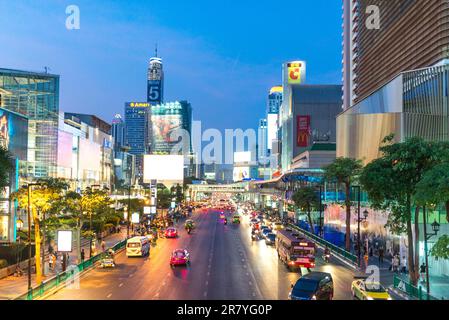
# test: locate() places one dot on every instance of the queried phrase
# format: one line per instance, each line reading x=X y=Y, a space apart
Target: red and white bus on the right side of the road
x=295 y=251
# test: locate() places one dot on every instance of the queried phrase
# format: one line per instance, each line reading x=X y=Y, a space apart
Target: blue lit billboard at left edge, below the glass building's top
x=14 y=133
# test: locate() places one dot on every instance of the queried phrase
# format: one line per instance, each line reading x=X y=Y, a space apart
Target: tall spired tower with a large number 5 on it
x=155 y=93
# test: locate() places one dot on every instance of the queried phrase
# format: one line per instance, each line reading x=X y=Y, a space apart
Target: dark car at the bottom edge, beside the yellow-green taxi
x=313 y=286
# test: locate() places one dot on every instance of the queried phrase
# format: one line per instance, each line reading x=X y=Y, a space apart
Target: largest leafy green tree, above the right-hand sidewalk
x=392 y=181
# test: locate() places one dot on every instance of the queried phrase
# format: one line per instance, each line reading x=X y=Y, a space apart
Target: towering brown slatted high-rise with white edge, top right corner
x=406 y=39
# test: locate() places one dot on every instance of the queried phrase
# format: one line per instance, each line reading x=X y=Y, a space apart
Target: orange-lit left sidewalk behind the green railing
x=11 y=287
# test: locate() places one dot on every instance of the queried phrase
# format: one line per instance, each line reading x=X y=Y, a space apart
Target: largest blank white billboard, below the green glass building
x=163 y=168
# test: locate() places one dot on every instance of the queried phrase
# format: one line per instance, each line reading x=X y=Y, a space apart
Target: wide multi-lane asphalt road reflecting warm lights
x=225 y=265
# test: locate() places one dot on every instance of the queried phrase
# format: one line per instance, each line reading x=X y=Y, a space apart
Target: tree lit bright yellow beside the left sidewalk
x=44 y=199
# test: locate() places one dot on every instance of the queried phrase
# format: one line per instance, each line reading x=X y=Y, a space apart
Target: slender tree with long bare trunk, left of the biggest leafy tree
x=343 y=171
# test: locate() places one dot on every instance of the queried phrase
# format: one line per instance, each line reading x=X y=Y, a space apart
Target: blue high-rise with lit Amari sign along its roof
x=138 y=132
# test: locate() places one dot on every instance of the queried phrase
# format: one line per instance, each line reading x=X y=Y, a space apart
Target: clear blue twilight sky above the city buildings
x=222 y=56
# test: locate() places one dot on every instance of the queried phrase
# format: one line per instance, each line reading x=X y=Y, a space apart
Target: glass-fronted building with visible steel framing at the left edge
x=35 y=95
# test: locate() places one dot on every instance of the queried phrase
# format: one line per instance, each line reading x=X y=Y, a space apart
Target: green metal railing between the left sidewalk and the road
x=66 y=276
